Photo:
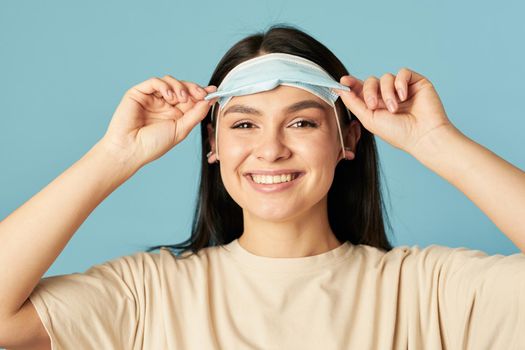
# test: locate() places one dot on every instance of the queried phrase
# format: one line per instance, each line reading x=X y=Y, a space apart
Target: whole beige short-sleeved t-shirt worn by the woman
x=351 y=297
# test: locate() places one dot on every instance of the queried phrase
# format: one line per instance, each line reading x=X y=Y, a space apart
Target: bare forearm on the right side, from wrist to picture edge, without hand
x=494 y=185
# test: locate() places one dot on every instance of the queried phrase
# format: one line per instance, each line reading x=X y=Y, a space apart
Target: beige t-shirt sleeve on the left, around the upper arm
x=101 y=308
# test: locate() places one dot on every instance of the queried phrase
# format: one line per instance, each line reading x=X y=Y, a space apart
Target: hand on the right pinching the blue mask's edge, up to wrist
x=415 y=112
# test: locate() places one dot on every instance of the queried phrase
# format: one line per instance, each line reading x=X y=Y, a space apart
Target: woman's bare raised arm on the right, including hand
x=416 y=122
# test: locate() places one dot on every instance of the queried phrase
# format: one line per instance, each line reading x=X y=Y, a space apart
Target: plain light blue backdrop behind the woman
x=65 y=65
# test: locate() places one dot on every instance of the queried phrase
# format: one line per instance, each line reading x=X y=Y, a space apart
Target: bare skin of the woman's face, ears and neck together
x=291 y=223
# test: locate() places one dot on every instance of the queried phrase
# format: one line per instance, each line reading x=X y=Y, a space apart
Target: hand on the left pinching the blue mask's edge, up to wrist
x=154 y=116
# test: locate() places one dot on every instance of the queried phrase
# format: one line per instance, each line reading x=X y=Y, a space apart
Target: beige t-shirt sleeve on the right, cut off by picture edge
x=481 y=298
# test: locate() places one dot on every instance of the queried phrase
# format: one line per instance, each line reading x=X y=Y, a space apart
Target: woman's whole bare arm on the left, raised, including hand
x=149 y=121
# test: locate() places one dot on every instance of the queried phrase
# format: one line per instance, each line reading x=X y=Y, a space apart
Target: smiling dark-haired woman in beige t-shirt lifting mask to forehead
x=288 y=249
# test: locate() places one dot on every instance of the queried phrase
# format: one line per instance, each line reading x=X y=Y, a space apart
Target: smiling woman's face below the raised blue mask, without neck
x=263 y=133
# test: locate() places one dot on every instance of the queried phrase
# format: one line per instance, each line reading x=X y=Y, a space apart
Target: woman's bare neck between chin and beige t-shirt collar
x=307 y=234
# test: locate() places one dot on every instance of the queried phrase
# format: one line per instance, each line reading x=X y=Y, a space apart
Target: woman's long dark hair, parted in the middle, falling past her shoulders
x=356 y=210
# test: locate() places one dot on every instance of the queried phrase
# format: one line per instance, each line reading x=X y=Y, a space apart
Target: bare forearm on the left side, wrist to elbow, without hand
x=32 y=237
